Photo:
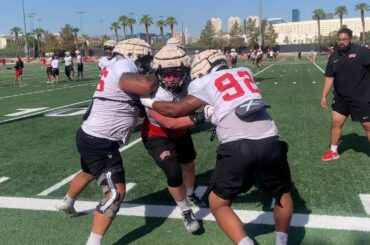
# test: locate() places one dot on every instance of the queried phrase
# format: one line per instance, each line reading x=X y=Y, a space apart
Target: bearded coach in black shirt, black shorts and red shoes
x=349 y=70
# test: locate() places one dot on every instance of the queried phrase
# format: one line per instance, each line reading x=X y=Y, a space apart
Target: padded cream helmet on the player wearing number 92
x=206 y=62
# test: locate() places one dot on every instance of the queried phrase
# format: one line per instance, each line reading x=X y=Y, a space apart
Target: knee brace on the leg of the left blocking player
x=109 y=206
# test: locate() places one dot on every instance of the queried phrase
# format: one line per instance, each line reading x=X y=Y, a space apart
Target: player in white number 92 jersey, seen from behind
x=250 y=148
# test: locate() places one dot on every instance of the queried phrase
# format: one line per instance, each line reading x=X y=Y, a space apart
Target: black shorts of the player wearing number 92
x=240 y=163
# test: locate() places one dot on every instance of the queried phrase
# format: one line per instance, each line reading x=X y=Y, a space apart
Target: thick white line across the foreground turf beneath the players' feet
x=164 y=211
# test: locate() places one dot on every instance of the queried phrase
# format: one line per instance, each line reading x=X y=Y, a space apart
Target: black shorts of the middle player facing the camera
x=182 y=148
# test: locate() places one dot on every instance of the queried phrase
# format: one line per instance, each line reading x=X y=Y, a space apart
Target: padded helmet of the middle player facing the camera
x=171 y=60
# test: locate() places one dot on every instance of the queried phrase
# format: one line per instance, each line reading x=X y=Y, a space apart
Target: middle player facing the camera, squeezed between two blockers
x=168 y=141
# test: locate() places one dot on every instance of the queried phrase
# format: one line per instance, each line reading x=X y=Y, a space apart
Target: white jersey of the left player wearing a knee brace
x=114 y=120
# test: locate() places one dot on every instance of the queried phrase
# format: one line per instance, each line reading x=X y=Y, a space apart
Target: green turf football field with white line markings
x=38 y=158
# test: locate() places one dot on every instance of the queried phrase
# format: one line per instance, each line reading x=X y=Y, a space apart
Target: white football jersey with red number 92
x=225 y=90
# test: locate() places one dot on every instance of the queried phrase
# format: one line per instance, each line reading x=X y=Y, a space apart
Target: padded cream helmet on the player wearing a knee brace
x=136 y=50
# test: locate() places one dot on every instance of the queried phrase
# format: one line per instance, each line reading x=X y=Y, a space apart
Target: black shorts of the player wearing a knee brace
x=99 y=155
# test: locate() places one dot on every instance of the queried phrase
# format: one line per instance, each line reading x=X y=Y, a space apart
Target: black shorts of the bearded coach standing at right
x=358 y=112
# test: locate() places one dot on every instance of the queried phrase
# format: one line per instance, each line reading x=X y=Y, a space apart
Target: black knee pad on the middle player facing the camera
x=172 y=170
